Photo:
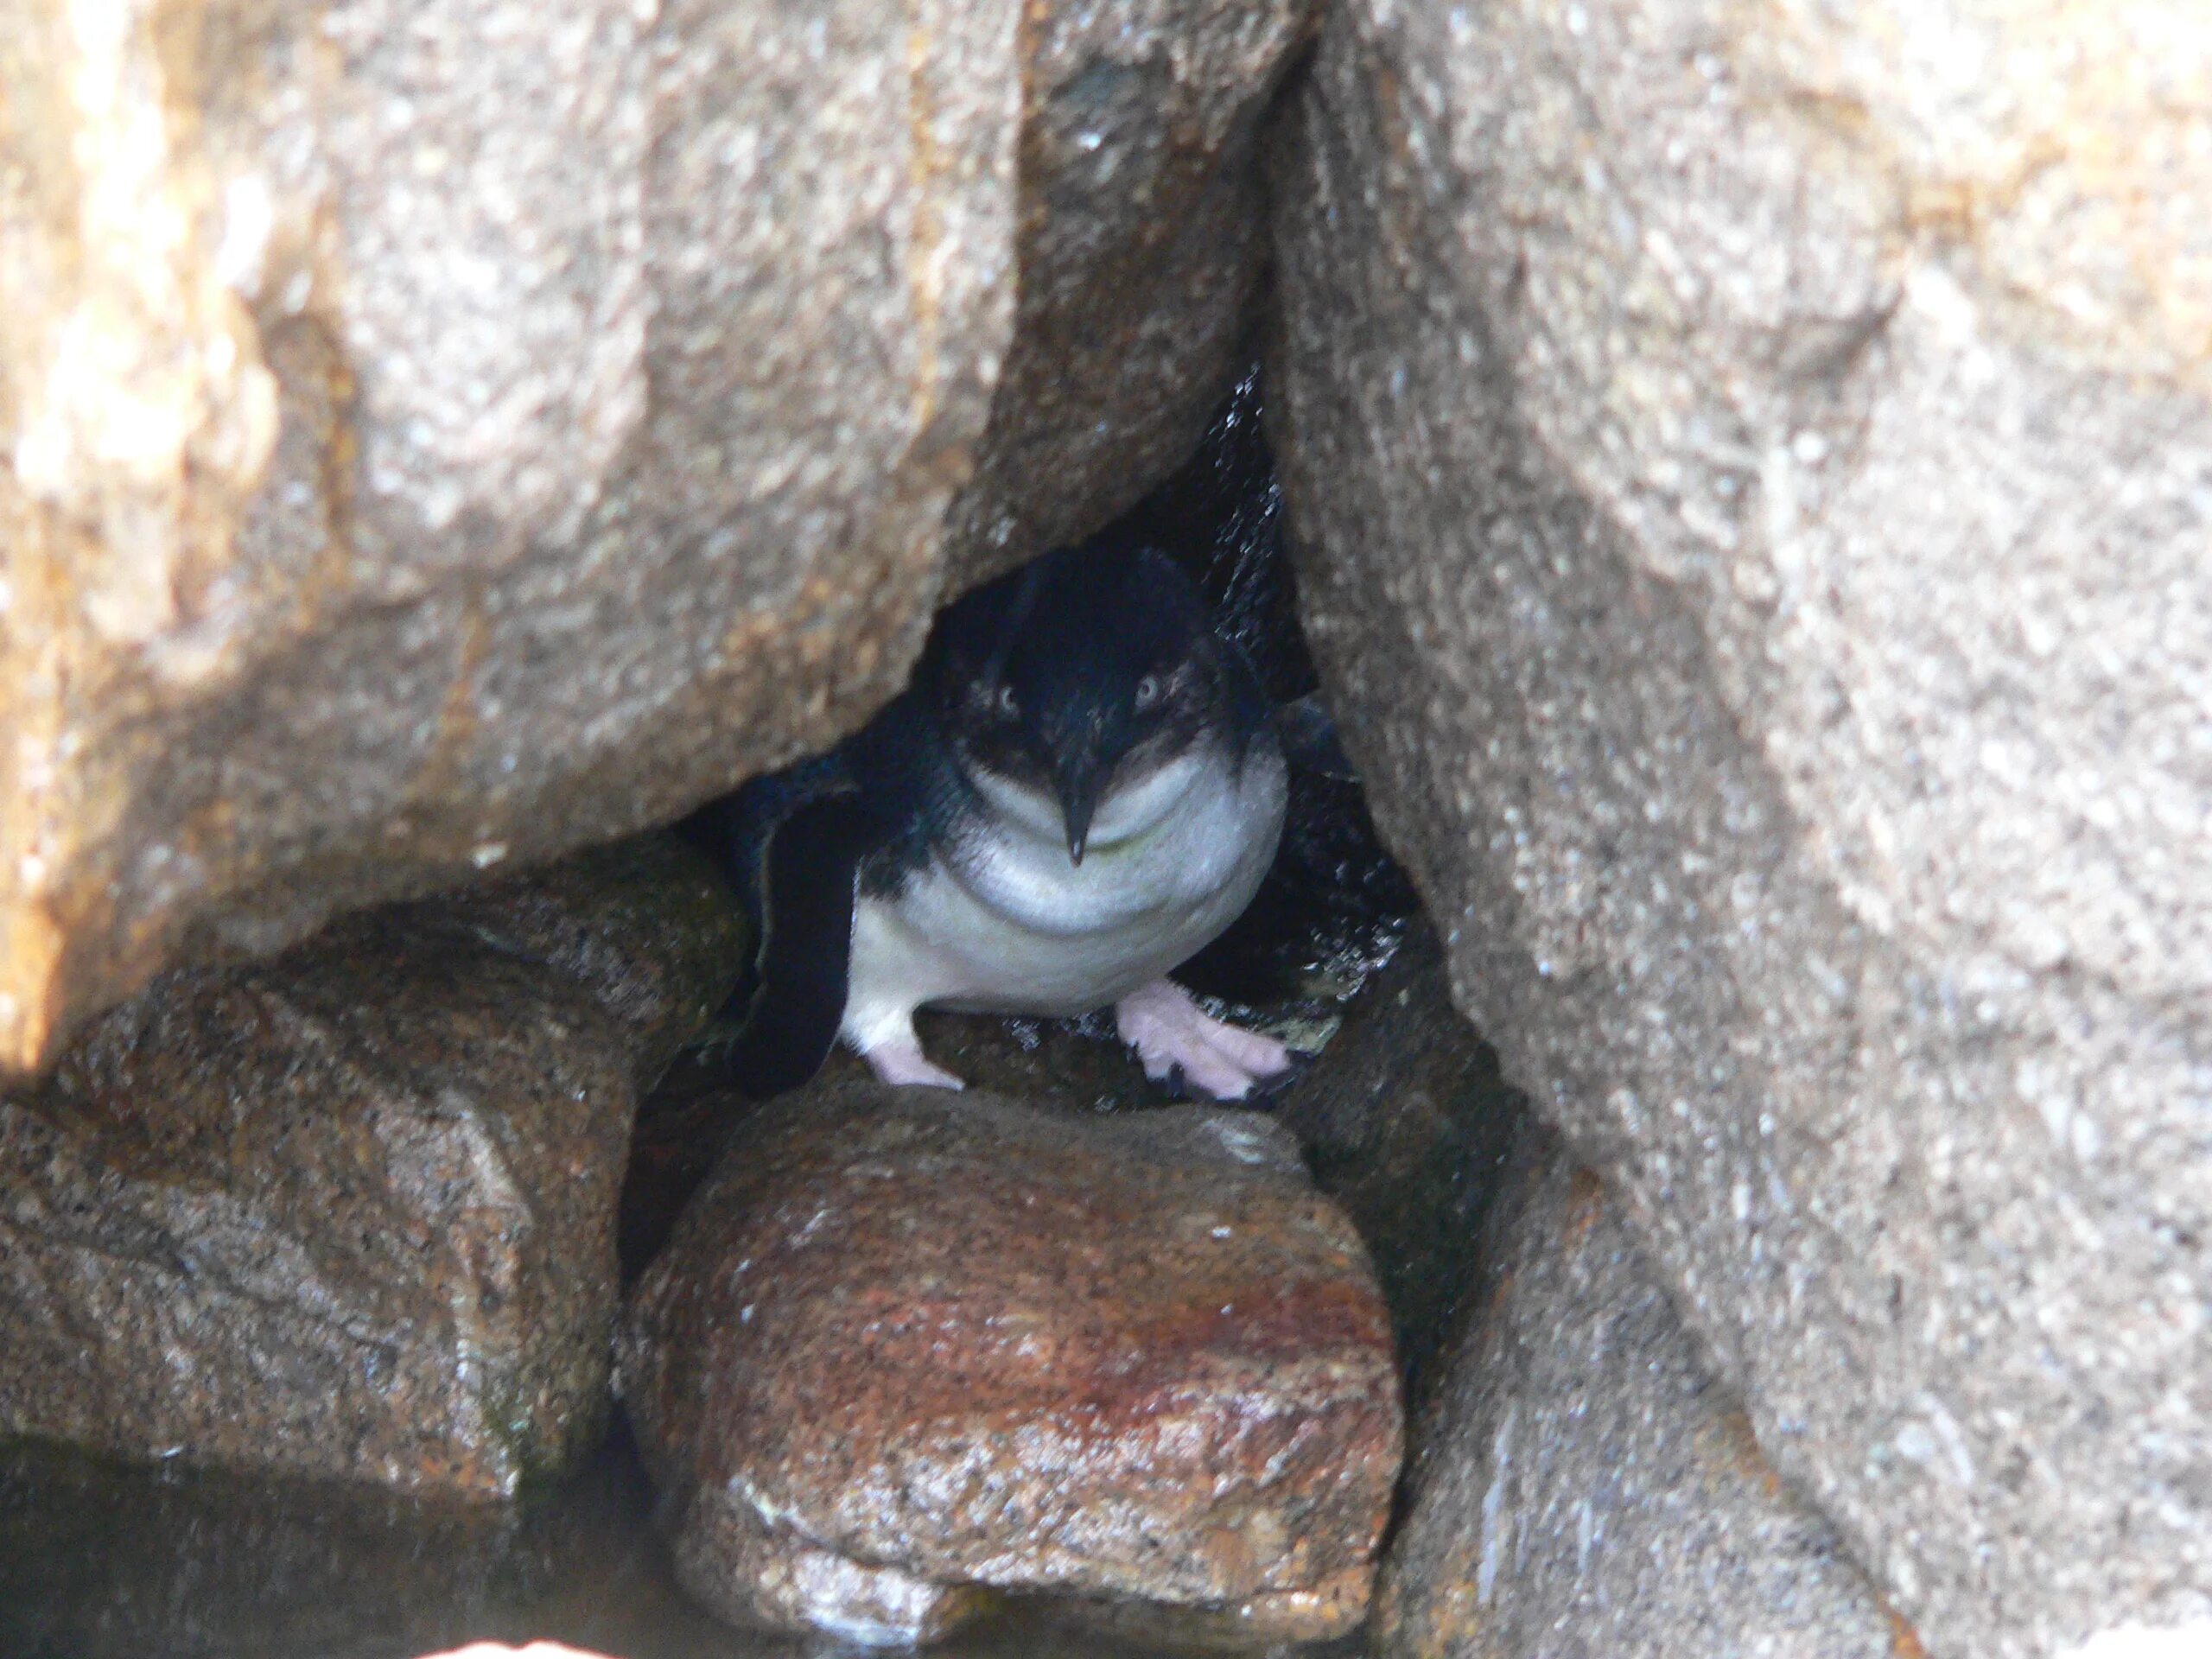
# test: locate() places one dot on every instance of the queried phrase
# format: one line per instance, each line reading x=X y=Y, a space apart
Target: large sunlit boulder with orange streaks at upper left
x=448 y=435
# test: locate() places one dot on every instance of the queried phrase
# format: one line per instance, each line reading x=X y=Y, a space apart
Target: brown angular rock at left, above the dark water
x=353 y=1211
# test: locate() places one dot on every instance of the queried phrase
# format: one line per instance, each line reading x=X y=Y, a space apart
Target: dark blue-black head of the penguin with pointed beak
x=1081 y=678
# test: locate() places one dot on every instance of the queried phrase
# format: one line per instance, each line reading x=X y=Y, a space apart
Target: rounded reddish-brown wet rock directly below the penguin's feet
x=910 y=1344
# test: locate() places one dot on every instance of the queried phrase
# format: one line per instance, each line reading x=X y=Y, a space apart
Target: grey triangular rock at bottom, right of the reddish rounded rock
x=1585 y=1485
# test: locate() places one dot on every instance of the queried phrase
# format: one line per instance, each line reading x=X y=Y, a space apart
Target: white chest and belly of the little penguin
x=1003 y=919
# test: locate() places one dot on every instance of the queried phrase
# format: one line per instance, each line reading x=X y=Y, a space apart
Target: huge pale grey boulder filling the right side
x=1753 y=530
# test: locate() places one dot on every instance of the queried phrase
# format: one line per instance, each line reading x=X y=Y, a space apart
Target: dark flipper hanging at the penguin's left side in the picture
x=806 y=877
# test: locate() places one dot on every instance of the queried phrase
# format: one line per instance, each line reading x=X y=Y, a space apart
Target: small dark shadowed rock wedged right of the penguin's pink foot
x=1406 y=1123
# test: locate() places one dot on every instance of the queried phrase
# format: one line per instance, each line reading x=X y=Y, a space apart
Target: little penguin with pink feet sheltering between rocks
x=1081 y=789
